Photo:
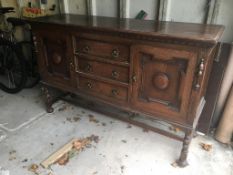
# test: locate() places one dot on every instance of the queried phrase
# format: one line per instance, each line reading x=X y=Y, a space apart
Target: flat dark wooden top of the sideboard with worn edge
x=171 y=30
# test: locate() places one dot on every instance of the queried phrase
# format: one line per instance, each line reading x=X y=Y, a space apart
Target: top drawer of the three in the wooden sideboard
x=117 y=52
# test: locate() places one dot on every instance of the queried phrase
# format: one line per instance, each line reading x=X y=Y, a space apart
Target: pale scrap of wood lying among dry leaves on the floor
x=58 y=154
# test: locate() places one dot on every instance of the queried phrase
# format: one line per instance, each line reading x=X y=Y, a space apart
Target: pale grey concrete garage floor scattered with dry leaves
x=28 y=135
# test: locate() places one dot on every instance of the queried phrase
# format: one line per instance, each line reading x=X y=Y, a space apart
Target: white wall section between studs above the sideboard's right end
x=186 y=10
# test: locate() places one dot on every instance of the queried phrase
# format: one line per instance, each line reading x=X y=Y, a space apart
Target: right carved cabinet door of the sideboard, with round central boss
x=162 y=81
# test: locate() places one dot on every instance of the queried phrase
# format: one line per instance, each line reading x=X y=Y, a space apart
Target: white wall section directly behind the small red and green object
x=149 y=6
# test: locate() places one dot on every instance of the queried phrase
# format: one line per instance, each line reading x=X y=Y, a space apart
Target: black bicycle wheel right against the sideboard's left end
x=29 y=54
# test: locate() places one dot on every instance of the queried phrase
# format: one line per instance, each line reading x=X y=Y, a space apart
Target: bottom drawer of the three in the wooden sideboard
x=102 y=90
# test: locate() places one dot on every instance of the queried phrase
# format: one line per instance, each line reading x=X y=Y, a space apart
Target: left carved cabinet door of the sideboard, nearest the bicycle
x=55 y=57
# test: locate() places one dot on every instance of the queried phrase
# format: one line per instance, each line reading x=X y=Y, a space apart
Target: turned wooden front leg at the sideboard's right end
x=182 y=162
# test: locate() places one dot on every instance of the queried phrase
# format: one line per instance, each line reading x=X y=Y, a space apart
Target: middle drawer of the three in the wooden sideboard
x=110 y=71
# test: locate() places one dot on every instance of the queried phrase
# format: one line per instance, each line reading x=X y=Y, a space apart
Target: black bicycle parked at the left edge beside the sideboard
x=28 y=75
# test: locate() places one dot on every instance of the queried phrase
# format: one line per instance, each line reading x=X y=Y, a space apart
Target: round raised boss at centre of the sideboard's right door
x=160 y=80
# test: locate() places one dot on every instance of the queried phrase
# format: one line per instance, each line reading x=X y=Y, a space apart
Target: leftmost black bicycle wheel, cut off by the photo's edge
x=12 y=67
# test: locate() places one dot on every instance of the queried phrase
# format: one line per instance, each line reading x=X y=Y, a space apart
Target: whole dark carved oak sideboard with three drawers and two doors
x=160 y=69
